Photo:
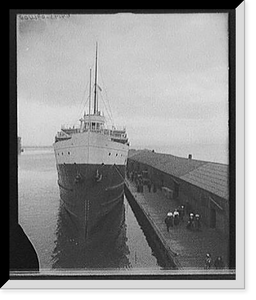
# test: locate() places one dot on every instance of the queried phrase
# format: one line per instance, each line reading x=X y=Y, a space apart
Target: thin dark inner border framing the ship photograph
x=13 y=133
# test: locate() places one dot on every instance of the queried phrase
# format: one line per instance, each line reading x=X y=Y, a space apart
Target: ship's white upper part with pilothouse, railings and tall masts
x=91 y=142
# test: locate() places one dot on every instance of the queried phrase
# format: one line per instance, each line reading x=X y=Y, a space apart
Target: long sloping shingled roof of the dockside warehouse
x=212 y=177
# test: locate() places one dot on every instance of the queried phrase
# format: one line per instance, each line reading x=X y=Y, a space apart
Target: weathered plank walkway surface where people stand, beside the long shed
x=189 y=247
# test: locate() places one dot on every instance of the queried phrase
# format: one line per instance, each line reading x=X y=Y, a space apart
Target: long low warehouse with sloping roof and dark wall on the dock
x=202 y=186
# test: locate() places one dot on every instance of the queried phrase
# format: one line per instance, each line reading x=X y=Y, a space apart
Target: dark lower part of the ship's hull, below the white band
x=90 y=193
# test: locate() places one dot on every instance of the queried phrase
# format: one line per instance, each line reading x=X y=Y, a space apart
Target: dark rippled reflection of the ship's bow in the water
x=105 y=248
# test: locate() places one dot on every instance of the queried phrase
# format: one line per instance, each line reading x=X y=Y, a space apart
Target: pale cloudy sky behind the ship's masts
x=164 y=76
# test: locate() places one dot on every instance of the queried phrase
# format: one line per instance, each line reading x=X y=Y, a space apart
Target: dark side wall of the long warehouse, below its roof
x=214 y=210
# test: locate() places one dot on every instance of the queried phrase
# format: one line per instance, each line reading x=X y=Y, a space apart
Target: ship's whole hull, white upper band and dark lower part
x=91 y=182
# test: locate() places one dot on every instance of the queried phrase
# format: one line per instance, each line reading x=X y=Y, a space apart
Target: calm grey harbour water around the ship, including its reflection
x=46 y=223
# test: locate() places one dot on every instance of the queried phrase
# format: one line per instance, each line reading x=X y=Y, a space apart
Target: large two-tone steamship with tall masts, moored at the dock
x=91 y=161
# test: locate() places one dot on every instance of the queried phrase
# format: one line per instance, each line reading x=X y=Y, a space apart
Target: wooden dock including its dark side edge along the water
x=181 y=248
